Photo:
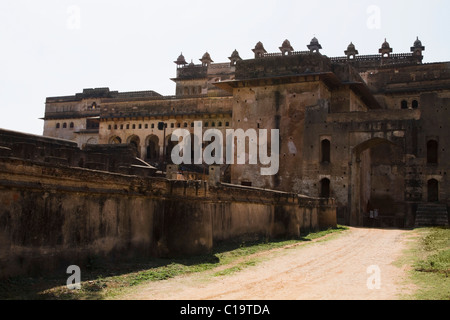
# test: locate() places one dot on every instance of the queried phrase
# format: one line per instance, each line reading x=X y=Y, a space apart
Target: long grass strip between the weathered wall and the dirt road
x=109 y=281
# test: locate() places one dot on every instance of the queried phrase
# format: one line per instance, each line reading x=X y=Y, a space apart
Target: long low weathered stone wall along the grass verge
x=53 y=216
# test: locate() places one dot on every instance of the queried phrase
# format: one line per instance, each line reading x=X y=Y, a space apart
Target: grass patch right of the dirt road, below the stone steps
x=430 y=260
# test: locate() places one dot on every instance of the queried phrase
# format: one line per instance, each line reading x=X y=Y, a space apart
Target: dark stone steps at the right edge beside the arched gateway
x=431 y=215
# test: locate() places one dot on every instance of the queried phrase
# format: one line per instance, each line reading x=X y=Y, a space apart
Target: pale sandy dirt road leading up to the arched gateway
x=356 y=265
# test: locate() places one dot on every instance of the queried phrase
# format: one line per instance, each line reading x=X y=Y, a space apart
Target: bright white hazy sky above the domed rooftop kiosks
x=57 y=47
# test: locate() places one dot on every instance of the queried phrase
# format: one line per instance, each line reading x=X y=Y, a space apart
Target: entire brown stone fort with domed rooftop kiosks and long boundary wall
x=358 y=135
